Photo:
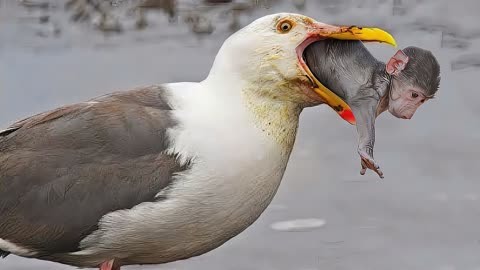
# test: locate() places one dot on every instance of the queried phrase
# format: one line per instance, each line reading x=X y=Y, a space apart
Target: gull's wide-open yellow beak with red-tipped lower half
x=323 y=31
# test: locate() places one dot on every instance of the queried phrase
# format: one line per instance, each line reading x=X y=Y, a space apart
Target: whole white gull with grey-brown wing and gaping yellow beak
x=165 y=172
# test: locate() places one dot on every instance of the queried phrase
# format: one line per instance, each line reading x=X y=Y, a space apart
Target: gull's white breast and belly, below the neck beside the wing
x=235 y=173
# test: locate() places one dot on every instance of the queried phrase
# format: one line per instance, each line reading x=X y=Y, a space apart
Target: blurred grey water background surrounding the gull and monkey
x=425 y=214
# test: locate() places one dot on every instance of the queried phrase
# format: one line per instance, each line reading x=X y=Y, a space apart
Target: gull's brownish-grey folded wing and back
x=62 y=170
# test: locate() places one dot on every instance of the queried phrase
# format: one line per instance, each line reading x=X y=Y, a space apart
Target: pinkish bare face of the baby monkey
x=404 y=100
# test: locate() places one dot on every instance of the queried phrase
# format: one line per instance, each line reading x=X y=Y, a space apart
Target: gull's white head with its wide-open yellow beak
x=267 y=56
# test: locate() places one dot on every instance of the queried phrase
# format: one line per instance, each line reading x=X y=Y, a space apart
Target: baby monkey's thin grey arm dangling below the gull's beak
x=364 y=110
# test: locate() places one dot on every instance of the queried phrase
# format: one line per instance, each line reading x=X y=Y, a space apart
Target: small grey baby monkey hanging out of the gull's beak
x=370 y=87
